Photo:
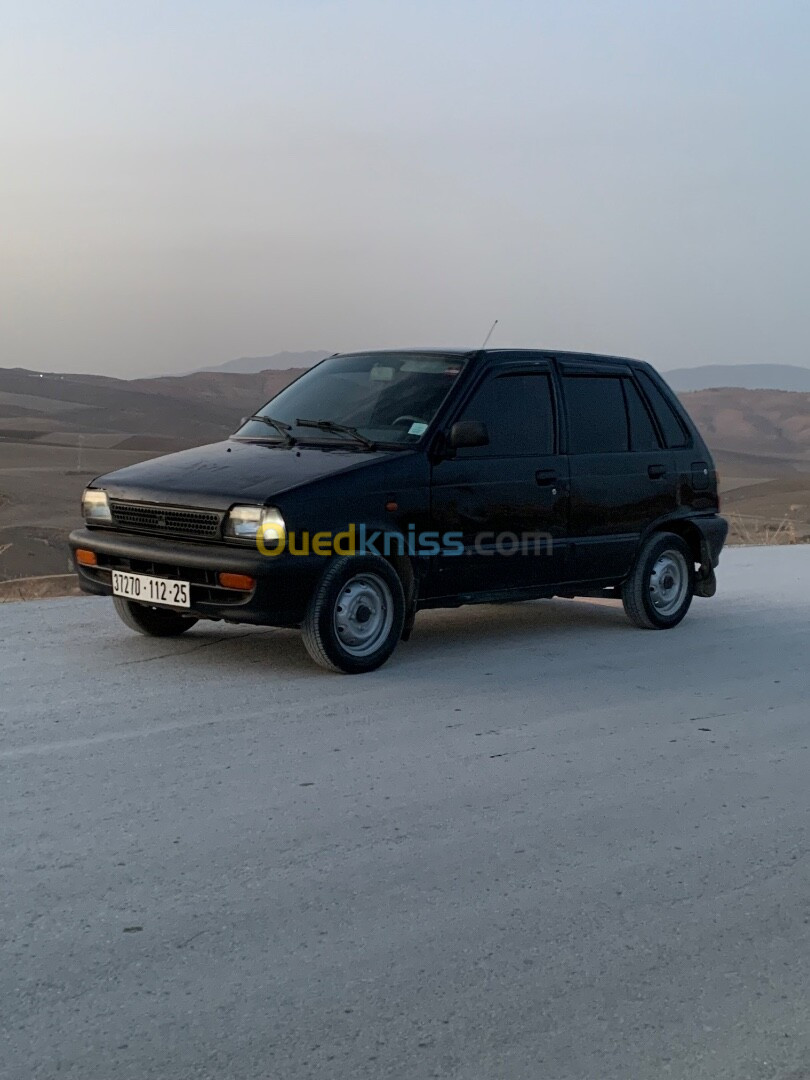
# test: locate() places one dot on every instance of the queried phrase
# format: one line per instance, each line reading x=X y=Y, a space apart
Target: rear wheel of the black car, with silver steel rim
x=660 y=588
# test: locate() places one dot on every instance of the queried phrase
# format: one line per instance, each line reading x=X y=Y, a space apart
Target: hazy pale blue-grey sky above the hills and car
x=183 y=183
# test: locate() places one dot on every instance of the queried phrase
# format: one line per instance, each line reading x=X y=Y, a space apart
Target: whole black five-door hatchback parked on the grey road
x=382 y=483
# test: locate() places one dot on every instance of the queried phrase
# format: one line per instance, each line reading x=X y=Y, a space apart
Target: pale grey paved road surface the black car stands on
x=539 y=845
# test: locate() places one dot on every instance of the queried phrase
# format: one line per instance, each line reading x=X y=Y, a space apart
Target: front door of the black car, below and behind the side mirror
x=506 y=504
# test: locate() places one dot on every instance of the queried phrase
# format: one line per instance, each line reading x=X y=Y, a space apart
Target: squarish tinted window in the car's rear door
x=598 y=420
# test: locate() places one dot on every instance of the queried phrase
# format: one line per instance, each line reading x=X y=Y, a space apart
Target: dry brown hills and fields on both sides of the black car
x=60 y=431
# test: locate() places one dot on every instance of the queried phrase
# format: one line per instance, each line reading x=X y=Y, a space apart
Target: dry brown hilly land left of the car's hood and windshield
x=59 y=433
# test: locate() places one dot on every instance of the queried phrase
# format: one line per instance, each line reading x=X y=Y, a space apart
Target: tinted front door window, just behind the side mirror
x=519 y=413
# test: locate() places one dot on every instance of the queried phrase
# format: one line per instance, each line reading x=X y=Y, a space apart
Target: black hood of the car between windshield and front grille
x=219 y=476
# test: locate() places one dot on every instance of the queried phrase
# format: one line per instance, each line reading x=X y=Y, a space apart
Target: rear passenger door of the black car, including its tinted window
x=622 y=478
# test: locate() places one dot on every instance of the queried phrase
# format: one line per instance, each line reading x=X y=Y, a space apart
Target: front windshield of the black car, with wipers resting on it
x=372 y=398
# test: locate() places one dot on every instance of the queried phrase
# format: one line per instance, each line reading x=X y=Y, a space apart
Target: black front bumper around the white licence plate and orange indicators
x=280 y=598
